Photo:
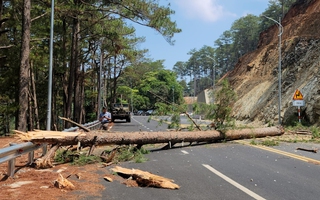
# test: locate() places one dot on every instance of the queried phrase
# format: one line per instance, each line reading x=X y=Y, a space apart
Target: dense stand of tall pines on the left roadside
x=87 y=35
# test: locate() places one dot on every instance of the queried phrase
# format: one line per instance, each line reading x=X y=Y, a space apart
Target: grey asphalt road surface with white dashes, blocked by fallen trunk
x=219 y=171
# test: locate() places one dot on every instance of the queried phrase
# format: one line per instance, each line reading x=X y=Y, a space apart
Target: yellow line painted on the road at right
x=291 y=155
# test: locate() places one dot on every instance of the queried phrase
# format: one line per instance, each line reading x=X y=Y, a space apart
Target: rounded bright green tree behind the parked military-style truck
x=152 y=86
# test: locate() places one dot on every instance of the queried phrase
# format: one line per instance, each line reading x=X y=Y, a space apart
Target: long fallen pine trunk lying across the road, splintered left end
x=141 y=138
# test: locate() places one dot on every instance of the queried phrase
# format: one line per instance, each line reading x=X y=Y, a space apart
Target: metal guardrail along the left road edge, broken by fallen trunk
x=16 y=150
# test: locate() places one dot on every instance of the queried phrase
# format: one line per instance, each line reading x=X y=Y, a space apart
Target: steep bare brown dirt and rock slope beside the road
x=255 y=77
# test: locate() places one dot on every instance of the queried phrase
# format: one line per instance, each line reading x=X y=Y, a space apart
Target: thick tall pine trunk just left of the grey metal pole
x=24 y=66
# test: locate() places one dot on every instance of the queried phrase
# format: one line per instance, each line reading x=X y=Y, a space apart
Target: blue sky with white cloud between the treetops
x=201 y=21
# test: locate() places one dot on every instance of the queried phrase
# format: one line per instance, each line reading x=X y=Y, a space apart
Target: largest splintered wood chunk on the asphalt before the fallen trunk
x=146 y=179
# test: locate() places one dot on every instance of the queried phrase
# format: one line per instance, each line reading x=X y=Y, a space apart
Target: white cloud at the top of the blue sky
x=207 y=10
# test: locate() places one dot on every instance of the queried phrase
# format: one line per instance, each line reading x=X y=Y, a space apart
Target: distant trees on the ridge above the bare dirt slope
x=240 y=39
